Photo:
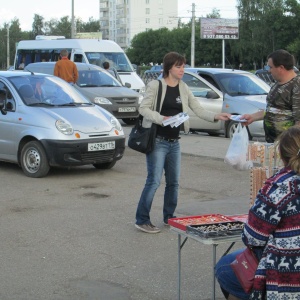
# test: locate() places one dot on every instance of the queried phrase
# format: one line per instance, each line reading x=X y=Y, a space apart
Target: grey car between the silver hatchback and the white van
x=100 y=88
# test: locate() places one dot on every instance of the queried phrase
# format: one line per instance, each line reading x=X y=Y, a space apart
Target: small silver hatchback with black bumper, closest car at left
x=45 y=122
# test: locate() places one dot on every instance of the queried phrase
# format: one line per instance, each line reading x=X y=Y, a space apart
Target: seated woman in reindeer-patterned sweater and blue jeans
x=273 y=231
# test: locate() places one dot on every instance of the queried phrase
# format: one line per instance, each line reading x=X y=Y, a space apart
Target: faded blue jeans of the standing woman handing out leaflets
x=166 y=156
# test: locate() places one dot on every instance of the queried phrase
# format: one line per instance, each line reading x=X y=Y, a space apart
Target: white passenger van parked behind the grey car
x=91 y=51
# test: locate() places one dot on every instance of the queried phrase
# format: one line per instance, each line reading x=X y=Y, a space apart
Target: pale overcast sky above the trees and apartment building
x=25 y=10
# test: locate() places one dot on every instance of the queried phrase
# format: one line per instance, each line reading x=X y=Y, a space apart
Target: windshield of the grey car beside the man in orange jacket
x=94 y=78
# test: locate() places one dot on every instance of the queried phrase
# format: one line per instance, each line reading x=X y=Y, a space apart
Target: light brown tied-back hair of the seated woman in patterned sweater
x=288 y=144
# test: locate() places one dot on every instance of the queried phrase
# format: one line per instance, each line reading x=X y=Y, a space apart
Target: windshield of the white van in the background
x=117 y=60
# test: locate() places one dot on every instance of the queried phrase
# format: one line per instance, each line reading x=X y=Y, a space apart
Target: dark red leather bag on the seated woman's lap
x=244 y=267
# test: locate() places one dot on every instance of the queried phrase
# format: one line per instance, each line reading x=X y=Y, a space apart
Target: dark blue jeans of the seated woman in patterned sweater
x=226 y=277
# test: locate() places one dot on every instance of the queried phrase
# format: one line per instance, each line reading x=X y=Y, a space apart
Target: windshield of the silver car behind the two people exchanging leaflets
x=242 y=84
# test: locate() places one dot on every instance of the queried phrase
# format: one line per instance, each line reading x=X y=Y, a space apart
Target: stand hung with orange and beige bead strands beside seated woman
x=267 y=158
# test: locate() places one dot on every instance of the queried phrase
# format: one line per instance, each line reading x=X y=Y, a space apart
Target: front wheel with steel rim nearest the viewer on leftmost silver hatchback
x=33 y=160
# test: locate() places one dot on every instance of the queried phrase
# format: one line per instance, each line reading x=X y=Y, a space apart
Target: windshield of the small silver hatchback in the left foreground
x=47 y=90
